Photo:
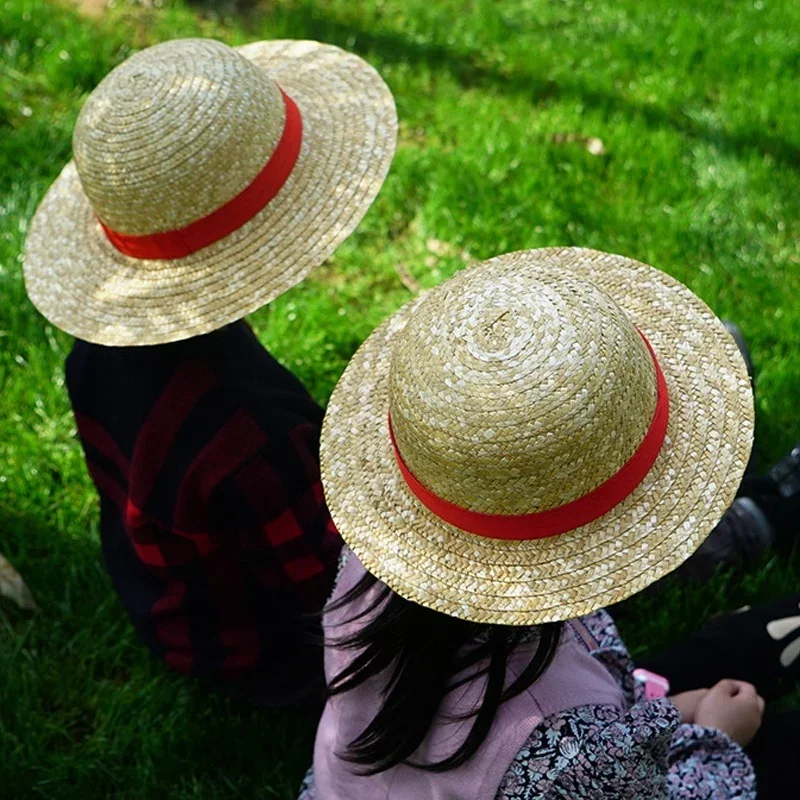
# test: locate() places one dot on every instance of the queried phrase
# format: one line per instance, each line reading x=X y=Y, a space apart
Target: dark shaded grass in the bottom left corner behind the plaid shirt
x=86 y=709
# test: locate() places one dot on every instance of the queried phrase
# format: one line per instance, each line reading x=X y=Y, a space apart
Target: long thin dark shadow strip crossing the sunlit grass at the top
x=469 y=72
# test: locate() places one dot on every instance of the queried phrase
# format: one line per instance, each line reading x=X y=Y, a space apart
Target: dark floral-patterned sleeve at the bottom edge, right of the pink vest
x=600 y=753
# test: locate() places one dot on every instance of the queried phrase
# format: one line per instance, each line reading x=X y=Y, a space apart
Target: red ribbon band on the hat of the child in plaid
x=231 y=216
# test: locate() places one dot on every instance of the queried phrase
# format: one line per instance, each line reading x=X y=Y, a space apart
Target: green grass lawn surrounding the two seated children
x=696 y=108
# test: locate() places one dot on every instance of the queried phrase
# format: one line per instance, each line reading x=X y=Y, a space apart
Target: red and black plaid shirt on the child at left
x=214 y=527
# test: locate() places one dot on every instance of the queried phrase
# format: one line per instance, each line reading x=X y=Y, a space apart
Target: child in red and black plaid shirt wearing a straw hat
x=206 y=182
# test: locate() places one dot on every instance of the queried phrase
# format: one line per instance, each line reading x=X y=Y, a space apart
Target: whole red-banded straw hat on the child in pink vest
x=542 y=435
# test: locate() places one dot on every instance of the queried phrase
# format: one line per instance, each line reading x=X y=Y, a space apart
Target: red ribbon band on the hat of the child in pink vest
x=554 y=521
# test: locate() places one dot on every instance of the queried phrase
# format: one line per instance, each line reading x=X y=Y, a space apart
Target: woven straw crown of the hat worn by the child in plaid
x=173 y=133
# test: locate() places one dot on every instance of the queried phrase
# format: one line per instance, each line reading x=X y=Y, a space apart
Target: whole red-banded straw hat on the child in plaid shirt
x=206 y=182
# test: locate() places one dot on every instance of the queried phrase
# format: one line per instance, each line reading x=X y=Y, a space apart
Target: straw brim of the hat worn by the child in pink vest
x=654 y=530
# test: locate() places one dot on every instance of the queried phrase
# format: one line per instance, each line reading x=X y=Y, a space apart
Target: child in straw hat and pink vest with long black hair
x=535 y=439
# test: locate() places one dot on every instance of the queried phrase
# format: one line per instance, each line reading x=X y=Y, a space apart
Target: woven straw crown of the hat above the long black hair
x=531 y=396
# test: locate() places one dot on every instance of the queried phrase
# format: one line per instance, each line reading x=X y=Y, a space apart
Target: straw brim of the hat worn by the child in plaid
x=86 y=287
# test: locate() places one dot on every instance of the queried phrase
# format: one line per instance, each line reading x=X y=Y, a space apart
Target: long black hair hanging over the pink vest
x=426 y=655
